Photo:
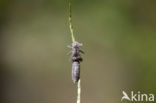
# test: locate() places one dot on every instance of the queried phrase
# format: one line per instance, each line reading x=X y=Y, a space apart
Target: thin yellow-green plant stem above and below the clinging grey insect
x=73 y=40
